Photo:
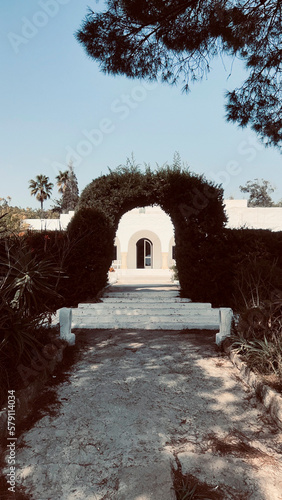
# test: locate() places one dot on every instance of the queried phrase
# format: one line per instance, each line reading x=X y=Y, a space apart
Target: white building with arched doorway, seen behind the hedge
x=145 y=236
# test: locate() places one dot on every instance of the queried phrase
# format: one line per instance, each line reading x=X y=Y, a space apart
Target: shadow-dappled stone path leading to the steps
x=136 y=401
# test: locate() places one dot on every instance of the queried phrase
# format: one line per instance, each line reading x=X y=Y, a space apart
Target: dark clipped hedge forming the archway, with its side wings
x=210 y=258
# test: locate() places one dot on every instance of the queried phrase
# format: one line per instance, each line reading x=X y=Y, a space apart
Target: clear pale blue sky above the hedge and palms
x=56 y=104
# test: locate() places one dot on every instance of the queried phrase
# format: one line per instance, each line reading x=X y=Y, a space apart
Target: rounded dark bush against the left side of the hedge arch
x=91 y=236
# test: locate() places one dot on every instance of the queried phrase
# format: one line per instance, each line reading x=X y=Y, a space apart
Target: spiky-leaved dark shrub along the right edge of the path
x=258 y=330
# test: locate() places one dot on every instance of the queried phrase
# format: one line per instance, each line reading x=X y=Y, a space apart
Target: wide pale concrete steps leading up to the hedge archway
x=146 y=307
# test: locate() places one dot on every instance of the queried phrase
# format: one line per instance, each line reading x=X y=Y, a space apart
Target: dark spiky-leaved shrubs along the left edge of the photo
x=28 y=294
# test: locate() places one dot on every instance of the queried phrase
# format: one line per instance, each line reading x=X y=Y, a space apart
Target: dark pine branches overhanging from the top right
x=176 y=40
